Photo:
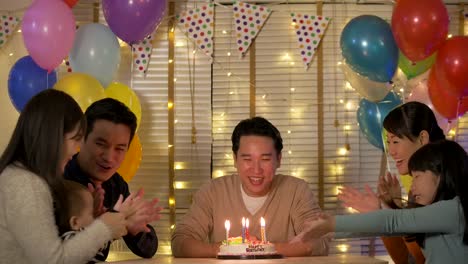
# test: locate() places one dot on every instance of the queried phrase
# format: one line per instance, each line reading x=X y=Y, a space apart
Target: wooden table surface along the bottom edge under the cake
x=348 y=259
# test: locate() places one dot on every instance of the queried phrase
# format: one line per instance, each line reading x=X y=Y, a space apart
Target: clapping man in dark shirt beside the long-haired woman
x=110 y=129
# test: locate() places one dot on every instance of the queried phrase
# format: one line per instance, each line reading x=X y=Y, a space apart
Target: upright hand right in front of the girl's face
x=389 y=190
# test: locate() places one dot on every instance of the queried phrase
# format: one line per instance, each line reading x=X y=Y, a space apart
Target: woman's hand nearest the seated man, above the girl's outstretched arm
x=363 y=202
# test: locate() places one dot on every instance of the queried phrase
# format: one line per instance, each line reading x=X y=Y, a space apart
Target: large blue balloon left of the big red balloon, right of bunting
x=369 y=49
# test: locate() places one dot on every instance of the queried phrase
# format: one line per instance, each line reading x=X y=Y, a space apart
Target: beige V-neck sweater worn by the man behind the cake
x=290 y=203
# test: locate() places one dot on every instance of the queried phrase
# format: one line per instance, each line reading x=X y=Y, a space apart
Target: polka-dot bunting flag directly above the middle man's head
x=249 y=20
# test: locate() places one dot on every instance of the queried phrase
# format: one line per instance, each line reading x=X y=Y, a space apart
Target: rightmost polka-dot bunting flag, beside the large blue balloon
x=309 y=31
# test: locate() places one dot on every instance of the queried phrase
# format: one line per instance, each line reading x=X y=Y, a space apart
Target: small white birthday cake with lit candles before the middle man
x=234 y=248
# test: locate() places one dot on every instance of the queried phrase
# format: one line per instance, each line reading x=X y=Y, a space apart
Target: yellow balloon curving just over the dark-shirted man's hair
x=127 y=96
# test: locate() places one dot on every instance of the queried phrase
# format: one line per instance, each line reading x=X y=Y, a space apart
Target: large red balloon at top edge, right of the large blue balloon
x=420 y=27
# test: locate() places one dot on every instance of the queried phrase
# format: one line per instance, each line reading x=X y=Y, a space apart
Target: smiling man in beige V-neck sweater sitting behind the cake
x=286 y=203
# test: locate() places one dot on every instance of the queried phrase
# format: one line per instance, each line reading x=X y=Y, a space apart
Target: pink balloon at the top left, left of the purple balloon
x=48 y=32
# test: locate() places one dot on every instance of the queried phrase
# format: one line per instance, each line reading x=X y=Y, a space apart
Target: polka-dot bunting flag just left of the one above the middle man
x=198 y=24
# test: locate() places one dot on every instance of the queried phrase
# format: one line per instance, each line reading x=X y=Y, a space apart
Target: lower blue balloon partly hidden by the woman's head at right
x=370 y=117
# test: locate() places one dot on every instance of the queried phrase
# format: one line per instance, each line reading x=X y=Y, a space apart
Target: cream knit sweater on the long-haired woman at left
x=28 y=233
